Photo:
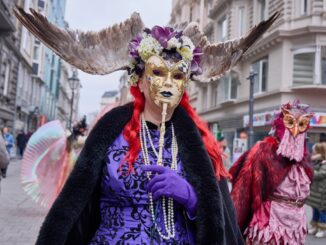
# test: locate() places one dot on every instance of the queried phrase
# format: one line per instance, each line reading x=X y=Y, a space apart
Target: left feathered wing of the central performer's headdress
x=99 y=52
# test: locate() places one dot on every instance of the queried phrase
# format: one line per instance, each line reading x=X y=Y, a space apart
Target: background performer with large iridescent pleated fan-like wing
x=49 y=159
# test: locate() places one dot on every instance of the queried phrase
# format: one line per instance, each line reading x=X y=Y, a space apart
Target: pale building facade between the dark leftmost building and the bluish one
x=30 y=84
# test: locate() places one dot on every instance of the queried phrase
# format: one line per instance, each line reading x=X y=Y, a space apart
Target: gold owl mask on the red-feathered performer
x=296 y=123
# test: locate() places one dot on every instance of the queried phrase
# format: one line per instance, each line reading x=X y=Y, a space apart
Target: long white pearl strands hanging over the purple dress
x=168 y=215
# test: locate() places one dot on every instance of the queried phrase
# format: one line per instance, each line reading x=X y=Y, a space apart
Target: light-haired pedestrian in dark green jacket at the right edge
x=317 y=198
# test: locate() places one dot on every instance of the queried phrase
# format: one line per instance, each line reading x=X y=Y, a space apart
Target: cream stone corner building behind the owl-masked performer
x=290 y=61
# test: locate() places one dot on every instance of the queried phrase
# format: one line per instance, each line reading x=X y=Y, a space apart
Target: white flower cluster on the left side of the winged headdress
x=148 y=47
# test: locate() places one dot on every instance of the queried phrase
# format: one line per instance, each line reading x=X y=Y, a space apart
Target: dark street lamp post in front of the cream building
x=251 y=78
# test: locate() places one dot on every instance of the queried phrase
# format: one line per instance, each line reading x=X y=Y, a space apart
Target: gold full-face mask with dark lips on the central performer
x=166 y=80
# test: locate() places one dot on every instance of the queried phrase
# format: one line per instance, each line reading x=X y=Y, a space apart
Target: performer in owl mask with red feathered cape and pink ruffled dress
x=271 y=182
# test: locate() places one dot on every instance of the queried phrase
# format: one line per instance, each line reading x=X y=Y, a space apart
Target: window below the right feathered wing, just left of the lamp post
x=228 y=87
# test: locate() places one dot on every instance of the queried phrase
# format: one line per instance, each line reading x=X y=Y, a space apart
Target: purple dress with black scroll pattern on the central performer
x=125 y=216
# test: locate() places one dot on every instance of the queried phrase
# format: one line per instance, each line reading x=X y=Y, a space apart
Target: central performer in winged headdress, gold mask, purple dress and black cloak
x=148 y=171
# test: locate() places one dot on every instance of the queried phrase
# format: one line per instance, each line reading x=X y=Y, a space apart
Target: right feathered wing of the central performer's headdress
x=218 y=58
